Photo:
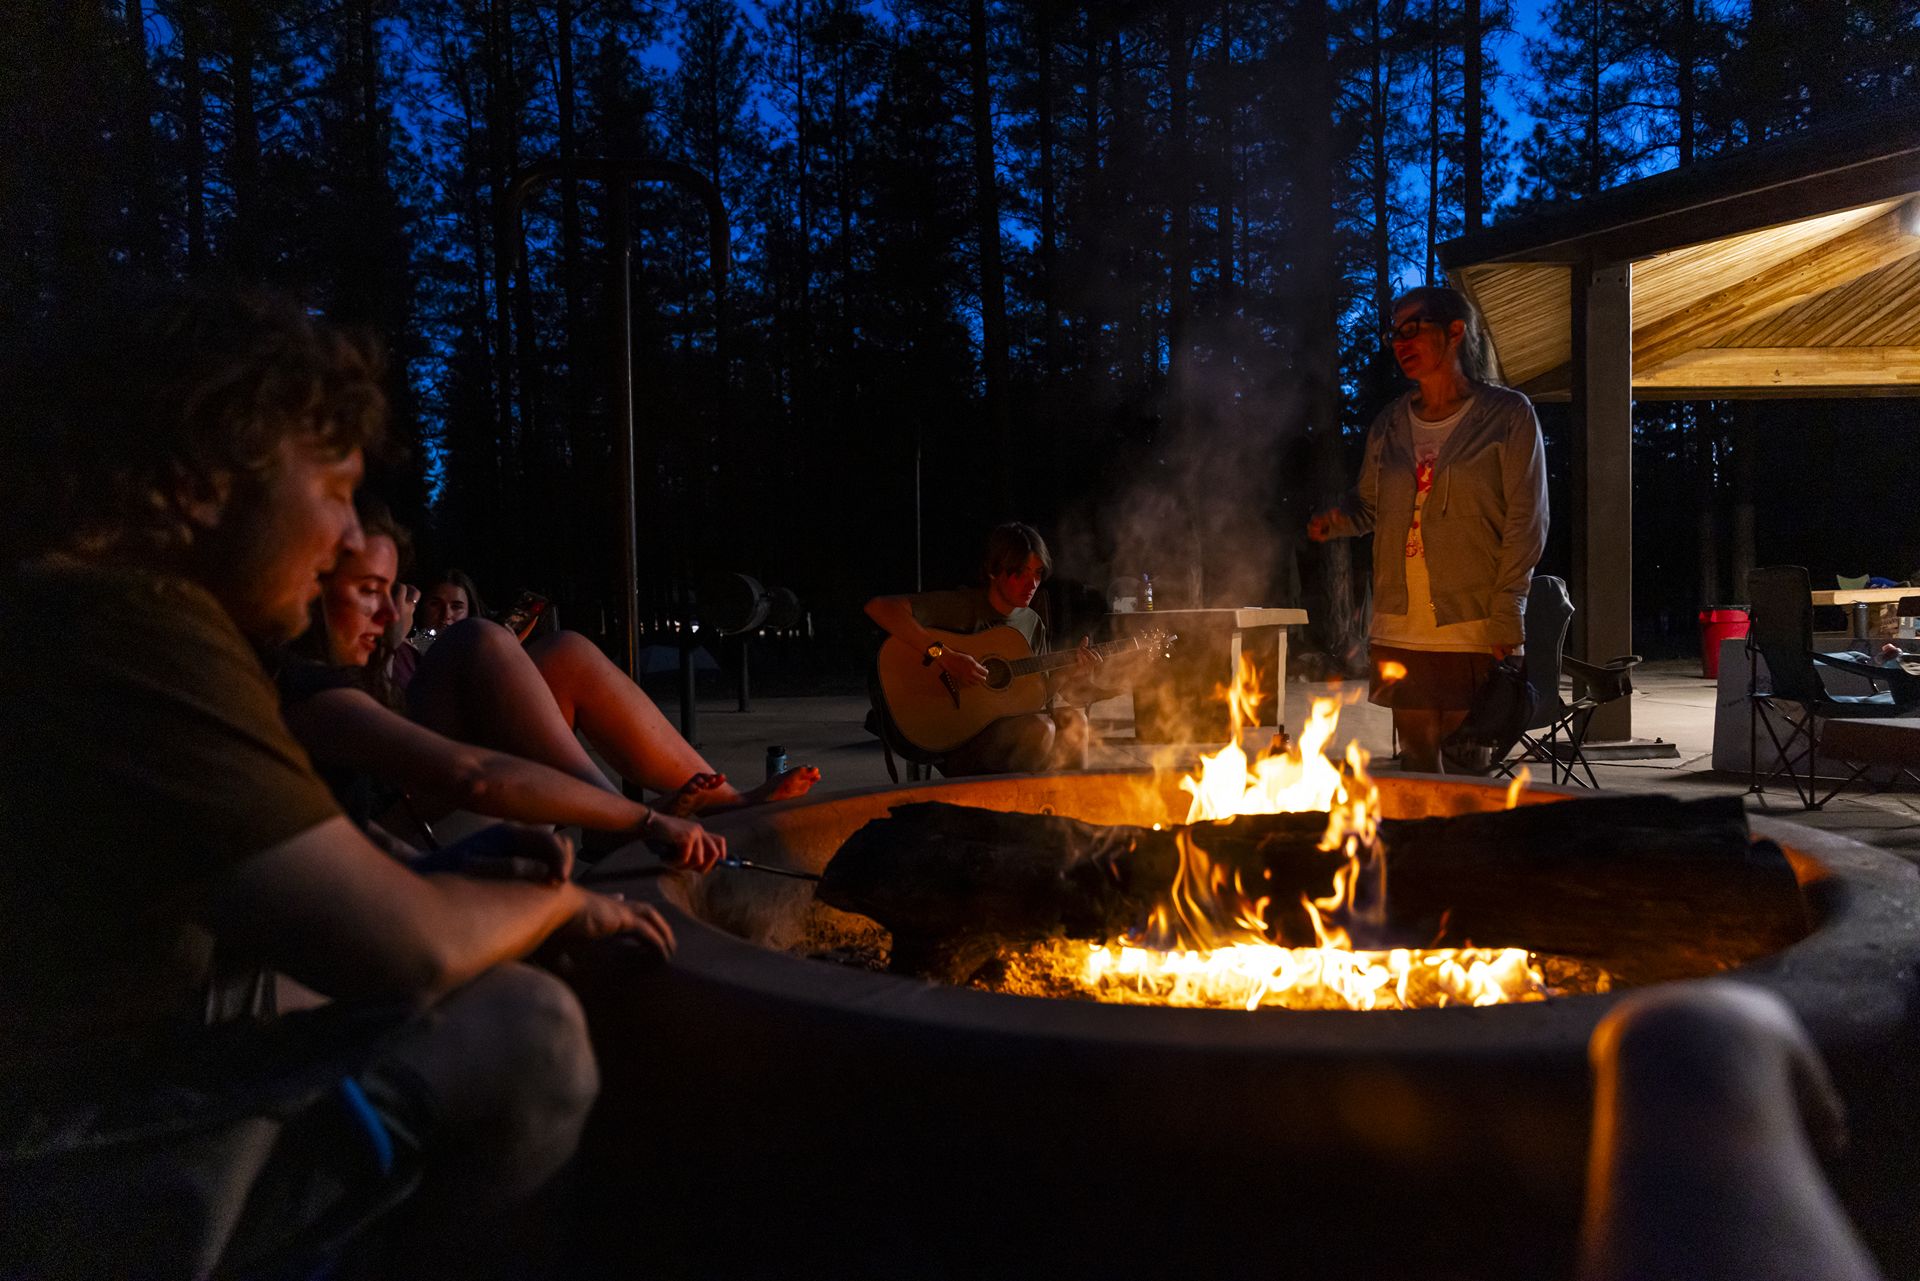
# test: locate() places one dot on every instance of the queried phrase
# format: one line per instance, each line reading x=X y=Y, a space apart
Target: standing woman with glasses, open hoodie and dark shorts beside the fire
x=1454 y=491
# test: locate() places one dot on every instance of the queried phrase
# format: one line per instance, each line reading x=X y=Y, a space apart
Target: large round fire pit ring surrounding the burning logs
x=867 y=1124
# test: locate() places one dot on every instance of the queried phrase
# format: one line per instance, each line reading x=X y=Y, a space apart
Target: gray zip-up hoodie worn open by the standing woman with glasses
x=1485 y=521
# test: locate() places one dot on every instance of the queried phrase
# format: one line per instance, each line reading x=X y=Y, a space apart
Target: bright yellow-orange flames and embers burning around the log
x=1209 y=944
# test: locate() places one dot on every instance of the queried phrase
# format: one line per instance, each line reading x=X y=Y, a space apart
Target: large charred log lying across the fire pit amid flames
x=1648 y=888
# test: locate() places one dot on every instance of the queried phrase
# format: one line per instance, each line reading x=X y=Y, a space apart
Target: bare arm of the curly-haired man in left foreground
x=341 y=917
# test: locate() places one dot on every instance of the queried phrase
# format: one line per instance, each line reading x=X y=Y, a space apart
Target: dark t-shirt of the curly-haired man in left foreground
x=143 y=756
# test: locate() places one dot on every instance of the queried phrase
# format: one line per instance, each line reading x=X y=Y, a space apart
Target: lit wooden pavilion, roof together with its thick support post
x=1787 y=270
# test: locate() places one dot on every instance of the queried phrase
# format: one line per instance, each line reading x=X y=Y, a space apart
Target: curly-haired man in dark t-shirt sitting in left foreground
x=183 y=475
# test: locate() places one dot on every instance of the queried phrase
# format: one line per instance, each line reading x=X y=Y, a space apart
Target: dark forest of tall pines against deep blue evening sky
x=1115 y=268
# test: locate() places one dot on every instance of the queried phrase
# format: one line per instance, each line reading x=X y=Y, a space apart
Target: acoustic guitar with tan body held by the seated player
x=936 y=713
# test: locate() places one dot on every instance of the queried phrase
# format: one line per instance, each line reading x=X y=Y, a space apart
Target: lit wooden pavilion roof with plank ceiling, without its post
x=1790 y=268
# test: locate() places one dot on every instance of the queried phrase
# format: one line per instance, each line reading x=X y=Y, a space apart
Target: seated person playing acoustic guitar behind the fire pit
x=1032 y=742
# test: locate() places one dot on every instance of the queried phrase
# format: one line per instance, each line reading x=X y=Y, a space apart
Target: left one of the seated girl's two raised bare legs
x=481 y=687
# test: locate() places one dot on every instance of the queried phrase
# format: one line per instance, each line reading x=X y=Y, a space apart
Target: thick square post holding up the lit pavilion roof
x=1604 y=475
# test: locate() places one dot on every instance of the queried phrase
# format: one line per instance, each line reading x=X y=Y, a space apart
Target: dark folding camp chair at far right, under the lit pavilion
x=1783 y=637
